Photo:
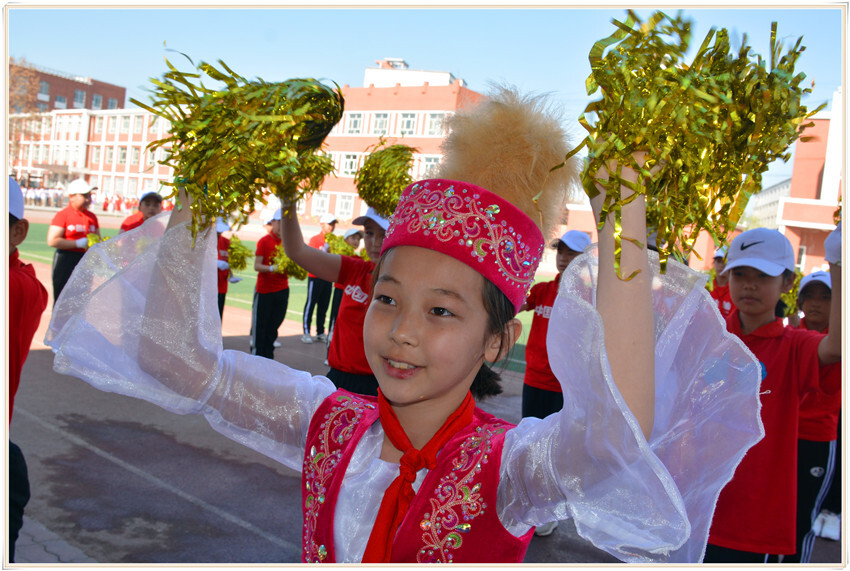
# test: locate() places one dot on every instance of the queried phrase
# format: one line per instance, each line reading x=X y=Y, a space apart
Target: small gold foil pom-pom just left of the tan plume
x=384 y=176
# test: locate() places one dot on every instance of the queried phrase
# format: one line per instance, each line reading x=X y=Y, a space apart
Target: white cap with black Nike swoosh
x=763 y=249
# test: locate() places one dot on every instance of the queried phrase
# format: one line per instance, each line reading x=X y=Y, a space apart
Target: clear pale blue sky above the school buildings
x=539 y=50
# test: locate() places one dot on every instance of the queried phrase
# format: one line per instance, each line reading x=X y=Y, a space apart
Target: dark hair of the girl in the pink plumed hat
x=500 y=311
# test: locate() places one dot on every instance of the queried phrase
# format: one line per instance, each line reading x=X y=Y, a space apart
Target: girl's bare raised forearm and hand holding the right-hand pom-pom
x=626 y=307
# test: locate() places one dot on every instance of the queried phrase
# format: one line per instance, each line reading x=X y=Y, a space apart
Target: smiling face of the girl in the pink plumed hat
x=425 y=330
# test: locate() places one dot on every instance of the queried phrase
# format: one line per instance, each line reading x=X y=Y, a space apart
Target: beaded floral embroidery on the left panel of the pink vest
x=336 y=428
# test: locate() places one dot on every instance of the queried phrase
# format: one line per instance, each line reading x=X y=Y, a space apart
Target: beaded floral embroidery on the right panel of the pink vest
x=457 y=499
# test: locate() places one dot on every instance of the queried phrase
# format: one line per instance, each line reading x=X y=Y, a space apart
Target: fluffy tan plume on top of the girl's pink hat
x=509 y=145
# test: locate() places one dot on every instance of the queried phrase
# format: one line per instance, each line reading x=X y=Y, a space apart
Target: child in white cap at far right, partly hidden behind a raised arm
x=817 y=451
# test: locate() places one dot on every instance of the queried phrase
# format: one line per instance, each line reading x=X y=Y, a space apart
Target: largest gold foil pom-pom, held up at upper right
x=710 y=127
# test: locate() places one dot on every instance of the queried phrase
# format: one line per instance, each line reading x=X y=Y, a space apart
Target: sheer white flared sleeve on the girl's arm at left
x=139 y=317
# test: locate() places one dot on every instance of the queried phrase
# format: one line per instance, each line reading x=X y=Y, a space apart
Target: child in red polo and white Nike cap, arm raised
x=756 y=511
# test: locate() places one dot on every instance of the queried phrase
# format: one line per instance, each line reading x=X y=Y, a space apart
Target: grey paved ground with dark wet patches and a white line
x=116 y=480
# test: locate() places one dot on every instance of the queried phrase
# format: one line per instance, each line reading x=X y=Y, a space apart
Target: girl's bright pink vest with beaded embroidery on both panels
x=453 y=516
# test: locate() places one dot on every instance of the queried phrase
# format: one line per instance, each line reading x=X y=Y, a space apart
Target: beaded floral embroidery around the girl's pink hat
x=455 y=214
